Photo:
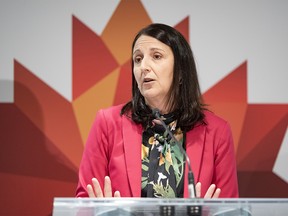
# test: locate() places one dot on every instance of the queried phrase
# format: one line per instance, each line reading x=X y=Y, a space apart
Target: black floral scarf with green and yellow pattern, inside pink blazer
x=162 y=160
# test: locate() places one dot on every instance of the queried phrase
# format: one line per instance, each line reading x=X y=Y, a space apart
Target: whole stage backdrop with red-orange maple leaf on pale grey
x=61 y=61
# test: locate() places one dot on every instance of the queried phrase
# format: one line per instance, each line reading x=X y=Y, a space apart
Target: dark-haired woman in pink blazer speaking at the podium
x=129 y=153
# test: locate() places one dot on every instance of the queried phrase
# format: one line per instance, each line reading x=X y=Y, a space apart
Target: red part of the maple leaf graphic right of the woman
x=258 y=131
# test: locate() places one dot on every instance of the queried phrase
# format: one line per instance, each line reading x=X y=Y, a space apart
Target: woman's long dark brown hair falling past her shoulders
x=184 y=94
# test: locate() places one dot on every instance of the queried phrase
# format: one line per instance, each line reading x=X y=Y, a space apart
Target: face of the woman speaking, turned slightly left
x=153 y=70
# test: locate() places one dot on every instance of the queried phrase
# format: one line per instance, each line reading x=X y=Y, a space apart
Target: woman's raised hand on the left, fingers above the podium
x=95 y=190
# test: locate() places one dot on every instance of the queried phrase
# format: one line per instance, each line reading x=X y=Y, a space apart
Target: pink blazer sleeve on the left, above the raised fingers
x=94 y=161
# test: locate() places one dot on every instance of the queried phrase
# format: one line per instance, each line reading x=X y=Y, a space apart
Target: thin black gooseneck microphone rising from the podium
x=191 y=182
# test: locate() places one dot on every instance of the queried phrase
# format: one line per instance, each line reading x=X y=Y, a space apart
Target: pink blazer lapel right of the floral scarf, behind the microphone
x=195 y=142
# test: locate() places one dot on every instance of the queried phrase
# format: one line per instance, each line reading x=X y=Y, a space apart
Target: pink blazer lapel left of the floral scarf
x=132 y=137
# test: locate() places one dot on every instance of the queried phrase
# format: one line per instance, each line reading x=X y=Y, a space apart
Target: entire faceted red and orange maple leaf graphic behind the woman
x=43 y=134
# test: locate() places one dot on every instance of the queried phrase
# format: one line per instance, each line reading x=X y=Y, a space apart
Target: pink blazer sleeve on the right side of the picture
x=225 y=173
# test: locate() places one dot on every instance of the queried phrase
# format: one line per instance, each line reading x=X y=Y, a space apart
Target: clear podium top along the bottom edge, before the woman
x=169 y=207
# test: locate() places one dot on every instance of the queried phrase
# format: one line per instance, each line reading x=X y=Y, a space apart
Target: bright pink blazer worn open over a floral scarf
x=113 y=149
